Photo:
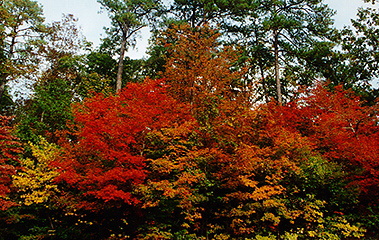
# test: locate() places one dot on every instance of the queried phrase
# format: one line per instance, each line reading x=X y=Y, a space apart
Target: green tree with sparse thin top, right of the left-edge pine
x=63 y=81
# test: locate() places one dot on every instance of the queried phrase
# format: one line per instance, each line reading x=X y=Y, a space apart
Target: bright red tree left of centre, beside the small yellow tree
x=107 y=159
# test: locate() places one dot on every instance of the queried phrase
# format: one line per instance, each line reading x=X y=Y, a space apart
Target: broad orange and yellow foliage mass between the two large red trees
x=255 y=177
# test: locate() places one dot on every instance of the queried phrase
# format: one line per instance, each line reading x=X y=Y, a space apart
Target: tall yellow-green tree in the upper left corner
x=21 y=26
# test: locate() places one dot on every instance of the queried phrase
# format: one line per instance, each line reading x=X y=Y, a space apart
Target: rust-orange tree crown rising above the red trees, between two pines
x=199 y=70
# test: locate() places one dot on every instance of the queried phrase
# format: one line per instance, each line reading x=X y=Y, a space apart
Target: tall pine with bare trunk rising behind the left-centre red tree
x=127 y=18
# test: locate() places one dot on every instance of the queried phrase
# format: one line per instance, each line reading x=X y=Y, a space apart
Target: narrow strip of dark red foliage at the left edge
x=9 y=148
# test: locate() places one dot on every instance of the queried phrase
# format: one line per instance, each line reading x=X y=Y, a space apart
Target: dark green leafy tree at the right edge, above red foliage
x=360 y=52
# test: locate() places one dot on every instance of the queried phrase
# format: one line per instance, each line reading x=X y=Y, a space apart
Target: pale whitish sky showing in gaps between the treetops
x=92 y=21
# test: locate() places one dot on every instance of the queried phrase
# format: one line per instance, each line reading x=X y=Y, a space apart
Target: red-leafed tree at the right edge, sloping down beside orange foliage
x=341 y=127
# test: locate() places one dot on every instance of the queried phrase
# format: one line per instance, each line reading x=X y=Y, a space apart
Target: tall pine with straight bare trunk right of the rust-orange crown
x=277 y=35
